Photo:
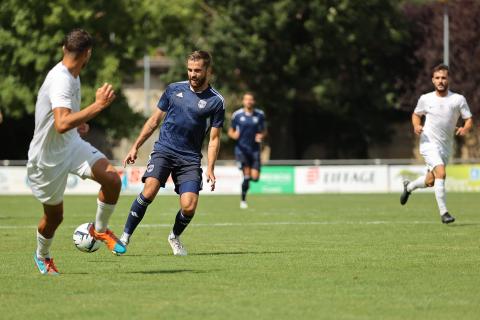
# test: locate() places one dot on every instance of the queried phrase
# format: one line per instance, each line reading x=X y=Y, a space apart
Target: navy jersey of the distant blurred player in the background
x=248 y=124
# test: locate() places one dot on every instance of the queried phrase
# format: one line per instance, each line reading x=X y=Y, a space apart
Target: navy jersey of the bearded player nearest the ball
x=189 y=116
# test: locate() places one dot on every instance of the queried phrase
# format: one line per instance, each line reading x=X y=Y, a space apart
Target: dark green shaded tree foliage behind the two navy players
x=315 y=66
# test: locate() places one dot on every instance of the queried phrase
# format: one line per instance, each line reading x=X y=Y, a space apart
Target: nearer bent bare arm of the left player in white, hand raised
x=66 y=120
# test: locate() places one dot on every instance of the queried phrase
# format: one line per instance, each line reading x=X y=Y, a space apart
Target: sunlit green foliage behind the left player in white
x=31 y=33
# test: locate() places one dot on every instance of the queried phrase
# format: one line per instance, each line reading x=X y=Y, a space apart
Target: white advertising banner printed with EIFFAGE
x=318 y=179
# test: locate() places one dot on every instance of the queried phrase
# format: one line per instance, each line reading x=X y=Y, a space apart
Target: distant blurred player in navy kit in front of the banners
x=248 y=129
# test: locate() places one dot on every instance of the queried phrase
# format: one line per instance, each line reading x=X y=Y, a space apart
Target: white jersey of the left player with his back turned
x=48 y=147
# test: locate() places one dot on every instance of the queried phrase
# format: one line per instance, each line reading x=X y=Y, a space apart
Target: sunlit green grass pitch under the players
x=287 y=257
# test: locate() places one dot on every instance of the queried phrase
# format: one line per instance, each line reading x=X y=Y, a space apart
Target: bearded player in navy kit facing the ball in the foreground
x=188 y=109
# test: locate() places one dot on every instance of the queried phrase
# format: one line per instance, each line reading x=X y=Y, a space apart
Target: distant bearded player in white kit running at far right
x=442 y=109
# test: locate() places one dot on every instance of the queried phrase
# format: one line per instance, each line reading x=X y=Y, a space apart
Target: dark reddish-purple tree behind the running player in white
x=426 y=23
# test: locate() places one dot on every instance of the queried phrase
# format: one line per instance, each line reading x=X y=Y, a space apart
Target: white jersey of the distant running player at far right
x=441 y=116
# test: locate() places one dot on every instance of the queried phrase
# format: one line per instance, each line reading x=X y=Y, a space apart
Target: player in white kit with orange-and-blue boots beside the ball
x=57 y=149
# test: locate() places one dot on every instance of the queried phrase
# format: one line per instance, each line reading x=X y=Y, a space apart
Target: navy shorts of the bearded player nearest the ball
x=186 y=176
